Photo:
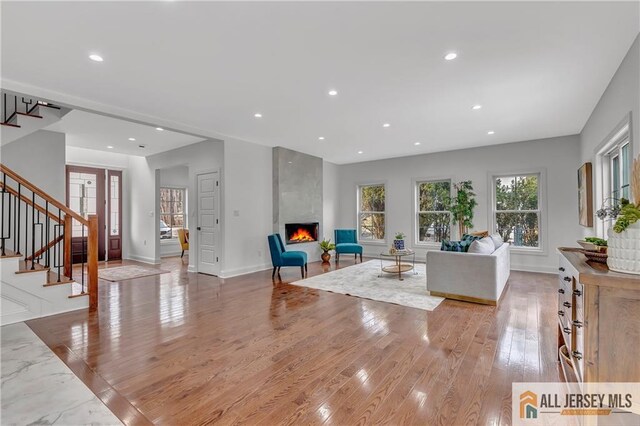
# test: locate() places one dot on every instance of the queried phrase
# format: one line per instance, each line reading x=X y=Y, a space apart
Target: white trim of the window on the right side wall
x=602 y=179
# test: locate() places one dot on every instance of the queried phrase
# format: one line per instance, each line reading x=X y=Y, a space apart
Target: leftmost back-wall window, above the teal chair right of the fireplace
x=371 y=212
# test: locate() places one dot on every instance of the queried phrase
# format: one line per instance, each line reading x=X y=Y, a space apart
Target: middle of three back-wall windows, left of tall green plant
x=433 y=219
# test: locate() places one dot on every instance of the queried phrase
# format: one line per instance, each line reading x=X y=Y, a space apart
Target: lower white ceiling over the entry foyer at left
x=93 y=131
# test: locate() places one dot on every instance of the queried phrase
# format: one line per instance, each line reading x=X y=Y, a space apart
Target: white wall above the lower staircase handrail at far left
x=39 y=157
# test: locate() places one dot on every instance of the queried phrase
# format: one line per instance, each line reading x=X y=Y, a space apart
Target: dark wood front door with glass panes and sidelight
x=93 y=191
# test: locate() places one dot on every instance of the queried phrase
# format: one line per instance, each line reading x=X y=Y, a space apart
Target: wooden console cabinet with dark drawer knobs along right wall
x=598 y=319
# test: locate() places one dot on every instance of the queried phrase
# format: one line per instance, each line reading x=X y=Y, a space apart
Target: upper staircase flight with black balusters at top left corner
x=22 y=115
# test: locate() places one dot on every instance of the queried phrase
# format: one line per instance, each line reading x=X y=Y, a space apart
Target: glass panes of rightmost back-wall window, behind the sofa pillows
x=516 y=210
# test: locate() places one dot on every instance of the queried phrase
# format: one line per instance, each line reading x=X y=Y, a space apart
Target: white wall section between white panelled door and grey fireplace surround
x=248 y=203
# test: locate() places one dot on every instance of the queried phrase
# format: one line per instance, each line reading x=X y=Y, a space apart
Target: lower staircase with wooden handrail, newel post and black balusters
x=39 y=240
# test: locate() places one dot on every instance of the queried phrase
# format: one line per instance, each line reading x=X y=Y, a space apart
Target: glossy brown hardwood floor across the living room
x=185 y=349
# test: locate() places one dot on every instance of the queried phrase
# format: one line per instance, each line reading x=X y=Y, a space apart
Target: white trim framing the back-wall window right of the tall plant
x=541 y=250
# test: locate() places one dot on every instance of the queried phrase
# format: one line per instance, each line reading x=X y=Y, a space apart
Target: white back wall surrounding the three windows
x=559 y=157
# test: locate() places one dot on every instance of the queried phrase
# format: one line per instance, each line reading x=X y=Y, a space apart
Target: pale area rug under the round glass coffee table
x=365 y=280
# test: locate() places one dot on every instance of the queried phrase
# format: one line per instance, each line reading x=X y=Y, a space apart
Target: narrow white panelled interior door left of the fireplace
x=208 y=185
